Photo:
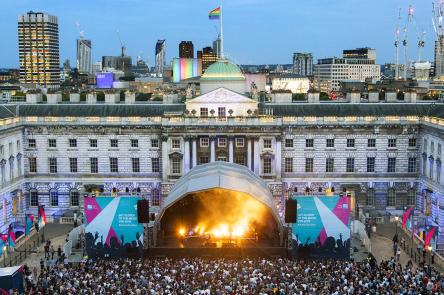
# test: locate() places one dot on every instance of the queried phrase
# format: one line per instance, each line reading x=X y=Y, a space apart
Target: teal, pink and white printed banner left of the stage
x=111 y=227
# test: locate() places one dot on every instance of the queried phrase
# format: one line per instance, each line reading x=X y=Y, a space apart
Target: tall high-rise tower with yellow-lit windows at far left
x=38 y=35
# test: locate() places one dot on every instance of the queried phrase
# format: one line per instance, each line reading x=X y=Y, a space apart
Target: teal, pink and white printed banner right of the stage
x=322 y=229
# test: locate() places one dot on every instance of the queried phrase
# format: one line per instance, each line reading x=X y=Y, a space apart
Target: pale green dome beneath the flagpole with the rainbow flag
x=223 y=70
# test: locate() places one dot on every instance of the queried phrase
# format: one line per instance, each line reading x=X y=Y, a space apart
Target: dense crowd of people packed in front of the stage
x=235 y=276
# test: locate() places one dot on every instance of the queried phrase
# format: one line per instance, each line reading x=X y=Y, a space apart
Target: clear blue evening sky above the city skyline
x=255 y=31
